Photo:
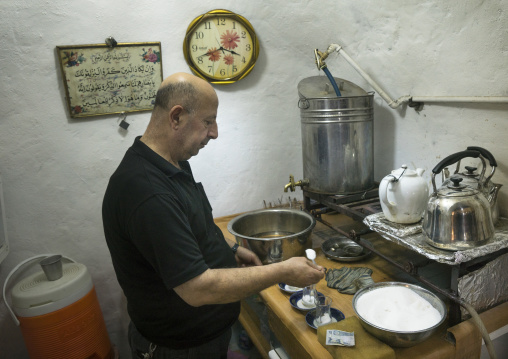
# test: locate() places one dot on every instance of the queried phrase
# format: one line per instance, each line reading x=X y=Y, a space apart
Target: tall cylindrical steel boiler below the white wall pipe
x=337 y=136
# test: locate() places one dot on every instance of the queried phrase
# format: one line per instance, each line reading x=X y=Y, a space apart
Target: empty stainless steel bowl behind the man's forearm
x=274 y=234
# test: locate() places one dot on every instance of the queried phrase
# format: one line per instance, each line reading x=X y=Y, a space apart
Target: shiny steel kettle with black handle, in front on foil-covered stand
x=457 y=217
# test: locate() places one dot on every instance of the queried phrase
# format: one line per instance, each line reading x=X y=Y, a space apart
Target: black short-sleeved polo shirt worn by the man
x=160 y=231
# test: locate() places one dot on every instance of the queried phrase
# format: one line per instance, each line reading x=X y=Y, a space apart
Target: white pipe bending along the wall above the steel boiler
x=408 y=98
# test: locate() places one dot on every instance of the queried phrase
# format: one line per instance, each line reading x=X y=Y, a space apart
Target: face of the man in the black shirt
x=200 y=127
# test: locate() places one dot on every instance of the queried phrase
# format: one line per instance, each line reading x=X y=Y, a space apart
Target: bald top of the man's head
x=183 y=89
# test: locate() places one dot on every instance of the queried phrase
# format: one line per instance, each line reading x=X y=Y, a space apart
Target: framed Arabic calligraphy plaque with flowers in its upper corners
x=102 y=80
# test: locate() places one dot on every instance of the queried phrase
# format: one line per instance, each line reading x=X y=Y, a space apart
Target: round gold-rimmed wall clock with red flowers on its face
x=221 y=46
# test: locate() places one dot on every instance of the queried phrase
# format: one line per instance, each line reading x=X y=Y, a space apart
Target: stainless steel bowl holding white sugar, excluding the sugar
x=401 y=338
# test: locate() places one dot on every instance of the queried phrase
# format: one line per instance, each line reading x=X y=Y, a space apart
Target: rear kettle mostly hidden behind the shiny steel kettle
x=472 y=179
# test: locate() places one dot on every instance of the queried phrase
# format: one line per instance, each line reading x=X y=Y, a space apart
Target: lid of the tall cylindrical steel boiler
x=321 y=87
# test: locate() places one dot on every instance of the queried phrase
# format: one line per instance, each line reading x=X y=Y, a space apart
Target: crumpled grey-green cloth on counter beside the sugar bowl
x=349 y=280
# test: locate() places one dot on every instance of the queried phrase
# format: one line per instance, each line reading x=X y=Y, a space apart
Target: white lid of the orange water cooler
x=36 y=295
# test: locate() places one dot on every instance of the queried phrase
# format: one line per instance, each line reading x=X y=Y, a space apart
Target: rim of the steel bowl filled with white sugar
x=373 y=286
